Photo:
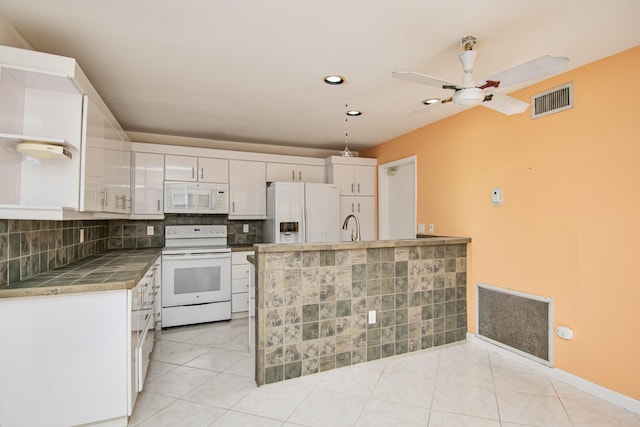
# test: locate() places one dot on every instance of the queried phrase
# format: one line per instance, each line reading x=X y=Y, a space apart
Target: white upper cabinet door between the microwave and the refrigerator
x=247 y=189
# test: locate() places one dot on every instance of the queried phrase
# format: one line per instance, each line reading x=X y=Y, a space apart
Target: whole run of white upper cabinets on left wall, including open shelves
x=47 y=98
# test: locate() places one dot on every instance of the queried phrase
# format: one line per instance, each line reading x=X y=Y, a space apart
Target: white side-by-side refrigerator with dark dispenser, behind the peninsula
x=299 y=212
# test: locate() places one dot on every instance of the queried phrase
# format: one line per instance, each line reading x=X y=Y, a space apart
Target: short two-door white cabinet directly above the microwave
x=203 y=169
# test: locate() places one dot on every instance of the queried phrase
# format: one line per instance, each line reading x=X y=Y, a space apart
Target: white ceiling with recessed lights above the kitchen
x=251 y=70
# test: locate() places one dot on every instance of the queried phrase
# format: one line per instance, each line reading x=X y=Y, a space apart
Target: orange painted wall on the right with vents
x=570 y=225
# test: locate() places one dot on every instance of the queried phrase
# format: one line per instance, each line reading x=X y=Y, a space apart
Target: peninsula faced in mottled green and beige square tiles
x=313 y=302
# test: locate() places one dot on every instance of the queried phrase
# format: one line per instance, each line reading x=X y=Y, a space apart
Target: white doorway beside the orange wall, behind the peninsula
x=397 y=199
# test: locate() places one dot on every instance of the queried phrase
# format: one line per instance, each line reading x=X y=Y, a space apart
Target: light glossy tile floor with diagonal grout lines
x=202 y=375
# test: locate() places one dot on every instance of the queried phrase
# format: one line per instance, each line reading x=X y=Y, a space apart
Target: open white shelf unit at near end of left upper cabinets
x=39 y=102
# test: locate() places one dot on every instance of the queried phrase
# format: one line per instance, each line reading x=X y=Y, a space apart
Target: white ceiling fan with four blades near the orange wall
x=470 y=93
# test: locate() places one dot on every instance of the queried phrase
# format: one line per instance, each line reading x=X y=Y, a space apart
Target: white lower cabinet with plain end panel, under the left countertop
x=68 y=362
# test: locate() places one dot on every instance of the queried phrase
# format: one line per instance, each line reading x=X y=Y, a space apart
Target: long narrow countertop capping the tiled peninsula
x=332 y=246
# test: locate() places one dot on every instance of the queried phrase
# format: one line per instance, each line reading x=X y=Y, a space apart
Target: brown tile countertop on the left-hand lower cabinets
x=107 y=271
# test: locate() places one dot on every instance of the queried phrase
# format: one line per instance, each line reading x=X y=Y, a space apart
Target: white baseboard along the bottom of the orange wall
x=596 y=390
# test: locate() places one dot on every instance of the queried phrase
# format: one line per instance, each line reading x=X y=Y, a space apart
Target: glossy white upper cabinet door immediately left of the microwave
x=148 y=176
